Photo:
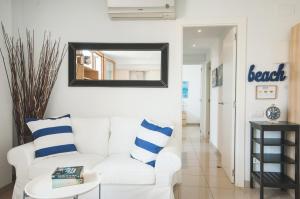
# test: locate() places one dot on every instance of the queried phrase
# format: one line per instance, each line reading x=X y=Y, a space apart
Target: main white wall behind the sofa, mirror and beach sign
x=269 y=23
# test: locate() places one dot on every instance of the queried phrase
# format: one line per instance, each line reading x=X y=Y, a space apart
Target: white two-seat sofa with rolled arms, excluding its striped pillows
x=104 y=145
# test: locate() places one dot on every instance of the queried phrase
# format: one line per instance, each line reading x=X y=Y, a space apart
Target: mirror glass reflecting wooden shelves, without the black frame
x=118 y=65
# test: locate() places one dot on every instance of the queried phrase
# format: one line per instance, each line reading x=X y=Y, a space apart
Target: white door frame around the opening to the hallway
x=240 y=124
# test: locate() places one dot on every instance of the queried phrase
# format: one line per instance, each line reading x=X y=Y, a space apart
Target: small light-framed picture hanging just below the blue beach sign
x=264 y=92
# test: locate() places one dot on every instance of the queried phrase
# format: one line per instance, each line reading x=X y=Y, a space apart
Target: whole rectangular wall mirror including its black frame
x=119 y=65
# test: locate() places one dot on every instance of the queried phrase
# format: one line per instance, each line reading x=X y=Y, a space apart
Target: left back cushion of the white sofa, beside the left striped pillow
x=91 y=135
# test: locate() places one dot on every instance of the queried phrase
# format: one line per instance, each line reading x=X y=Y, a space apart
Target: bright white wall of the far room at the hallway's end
x=192 y=104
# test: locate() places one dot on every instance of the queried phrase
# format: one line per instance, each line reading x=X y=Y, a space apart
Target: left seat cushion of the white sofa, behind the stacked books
x=48 y=165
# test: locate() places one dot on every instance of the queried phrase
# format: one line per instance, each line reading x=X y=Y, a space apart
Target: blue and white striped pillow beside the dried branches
x=52 y=136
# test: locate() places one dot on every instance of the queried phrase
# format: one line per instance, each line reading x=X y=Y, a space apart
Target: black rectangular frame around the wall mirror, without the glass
x=162 y=83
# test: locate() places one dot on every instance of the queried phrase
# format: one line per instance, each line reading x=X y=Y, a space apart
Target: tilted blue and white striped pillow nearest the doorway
x=150 y=140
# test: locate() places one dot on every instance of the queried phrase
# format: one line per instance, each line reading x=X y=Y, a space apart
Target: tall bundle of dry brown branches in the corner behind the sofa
x=30 y=82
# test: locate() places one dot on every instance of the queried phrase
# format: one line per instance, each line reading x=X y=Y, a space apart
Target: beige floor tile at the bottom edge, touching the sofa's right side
x=194 y=193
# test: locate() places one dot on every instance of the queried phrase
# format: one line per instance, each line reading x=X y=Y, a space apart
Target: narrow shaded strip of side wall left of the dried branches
x=5 y=102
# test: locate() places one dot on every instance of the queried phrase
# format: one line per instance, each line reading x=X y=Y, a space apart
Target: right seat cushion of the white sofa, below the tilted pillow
x=121 y=169
